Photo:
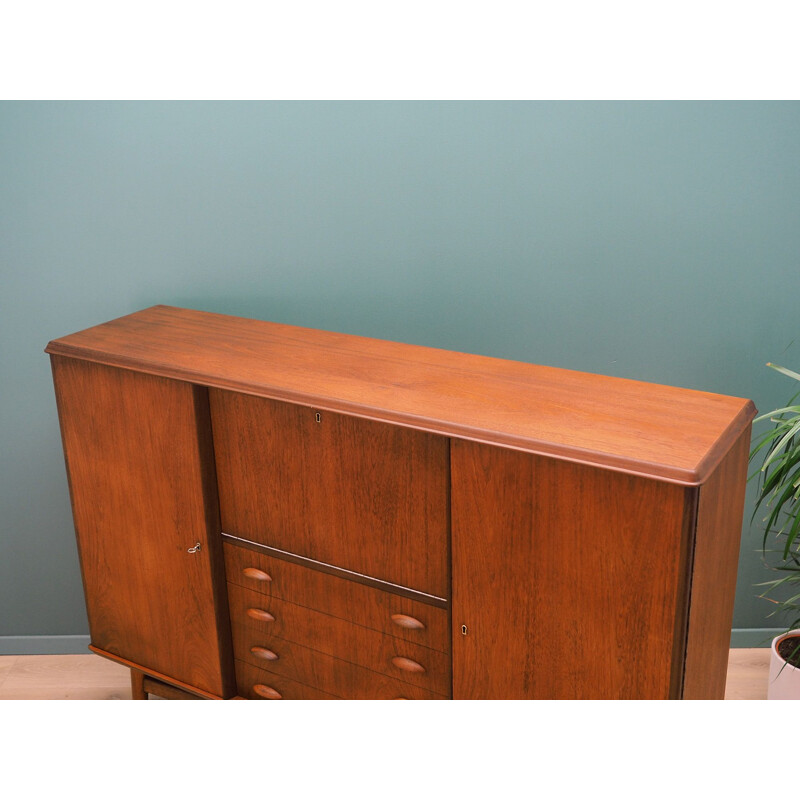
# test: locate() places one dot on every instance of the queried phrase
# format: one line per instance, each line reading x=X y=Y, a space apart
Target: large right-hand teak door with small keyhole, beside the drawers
x=566 y=577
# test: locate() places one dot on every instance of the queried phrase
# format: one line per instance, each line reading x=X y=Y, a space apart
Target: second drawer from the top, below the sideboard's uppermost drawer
x=263 y=621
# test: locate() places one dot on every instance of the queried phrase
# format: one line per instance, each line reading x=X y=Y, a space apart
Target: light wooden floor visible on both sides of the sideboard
x=90 y=677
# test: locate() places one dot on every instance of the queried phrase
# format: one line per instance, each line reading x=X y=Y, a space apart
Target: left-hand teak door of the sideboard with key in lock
x=140 y=469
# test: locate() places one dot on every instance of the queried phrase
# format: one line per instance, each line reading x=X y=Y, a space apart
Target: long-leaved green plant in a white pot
x=779 y=495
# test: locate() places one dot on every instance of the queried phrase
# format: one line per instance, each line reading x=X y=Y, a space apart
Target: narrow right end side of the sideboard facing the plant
x=716 y=558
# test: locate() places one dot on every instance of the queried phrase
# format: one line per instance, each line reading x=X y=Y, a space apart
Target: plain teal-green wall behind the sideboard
x=651 y=240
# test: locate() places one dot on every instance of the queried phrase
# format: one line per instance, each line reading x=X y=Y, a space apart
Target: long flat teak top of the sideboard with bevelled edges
x=664 y=432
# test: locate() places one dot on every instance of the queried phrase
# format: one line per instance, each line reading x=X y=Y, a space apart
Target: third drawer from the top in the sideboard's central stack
x=326 y=673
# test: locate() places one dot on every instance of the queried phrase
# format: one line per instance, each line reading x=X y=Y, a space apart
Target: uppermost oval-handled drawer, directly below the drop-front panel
x=410 y=620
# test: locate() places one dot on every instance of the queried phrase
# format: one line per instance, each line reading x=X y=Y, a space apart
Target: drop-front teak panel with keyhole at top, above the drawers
x=365 y=496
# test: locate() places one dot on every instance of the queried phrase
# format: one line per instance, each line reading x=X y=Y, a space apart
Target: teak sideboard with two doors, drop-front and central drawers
x=267 y=511
